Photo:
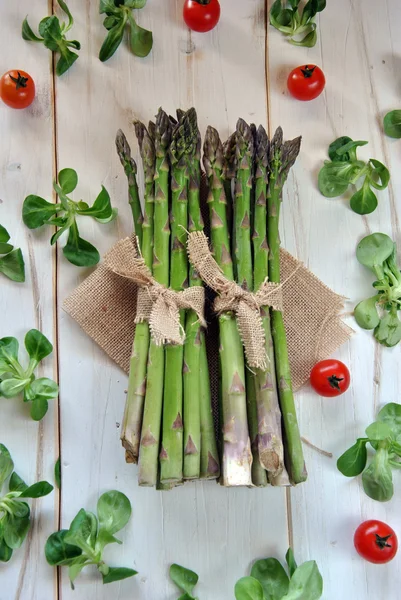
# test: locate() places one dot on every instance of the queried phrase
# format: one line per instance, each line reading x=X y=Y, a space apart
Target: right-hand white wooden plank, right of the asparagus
x=362 y=83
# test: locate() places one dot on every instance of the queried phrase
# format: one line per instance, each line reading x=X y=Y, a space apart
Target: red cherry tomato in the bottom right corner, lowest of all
x=376 y=541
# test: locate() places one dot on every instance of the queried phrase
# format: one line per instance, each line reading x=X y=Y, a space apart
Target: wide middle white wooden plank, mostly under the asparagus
x=201 y=526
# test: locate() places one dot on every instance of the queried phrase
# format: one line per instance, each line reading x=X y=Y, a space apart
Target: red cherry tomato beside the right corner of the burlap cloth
x=330 y=378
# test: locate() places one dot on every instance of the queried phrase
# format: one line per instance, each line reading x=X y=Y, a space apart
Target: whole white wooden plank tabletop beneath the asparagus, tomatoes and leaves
x=239 y=69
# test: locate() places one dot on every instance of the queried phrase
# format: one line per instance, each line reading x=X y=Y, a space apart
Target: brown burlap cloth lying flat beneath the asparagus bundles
x=104 y=305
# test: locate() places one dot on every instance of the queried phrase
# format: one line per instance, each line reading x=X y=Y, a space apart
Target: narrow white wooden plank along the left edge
x=26 y=159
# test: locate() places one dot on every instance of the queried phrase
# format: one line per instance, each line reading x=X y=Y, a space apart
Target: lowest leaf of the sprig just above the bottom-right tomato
x=377 y=478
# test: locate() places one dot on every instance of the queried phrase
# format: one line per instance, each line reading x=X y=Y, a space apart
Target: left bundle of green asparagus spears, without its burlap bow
x=168 y=385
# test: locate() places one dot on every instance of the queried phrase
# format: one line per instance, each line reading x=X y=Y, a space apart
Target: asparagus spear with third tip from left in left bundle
x=150 y=435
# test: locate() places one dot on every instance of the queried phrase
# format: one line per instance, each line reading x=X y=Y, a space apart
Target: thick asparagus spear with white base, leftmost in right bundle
x=237 y=457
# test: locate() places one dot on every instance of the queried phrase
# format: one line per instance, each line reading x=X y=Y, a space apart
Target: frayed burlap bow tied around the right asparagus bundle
x=246 y=305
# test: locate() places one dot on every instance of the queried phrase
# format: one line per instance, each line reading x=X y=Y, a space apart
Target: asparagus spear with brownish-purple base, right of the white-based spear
x=270 y=444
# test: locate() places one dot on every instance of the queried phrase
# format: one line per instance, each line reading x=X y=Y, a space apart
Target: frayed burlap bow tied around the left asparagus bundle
x=155 y=304
